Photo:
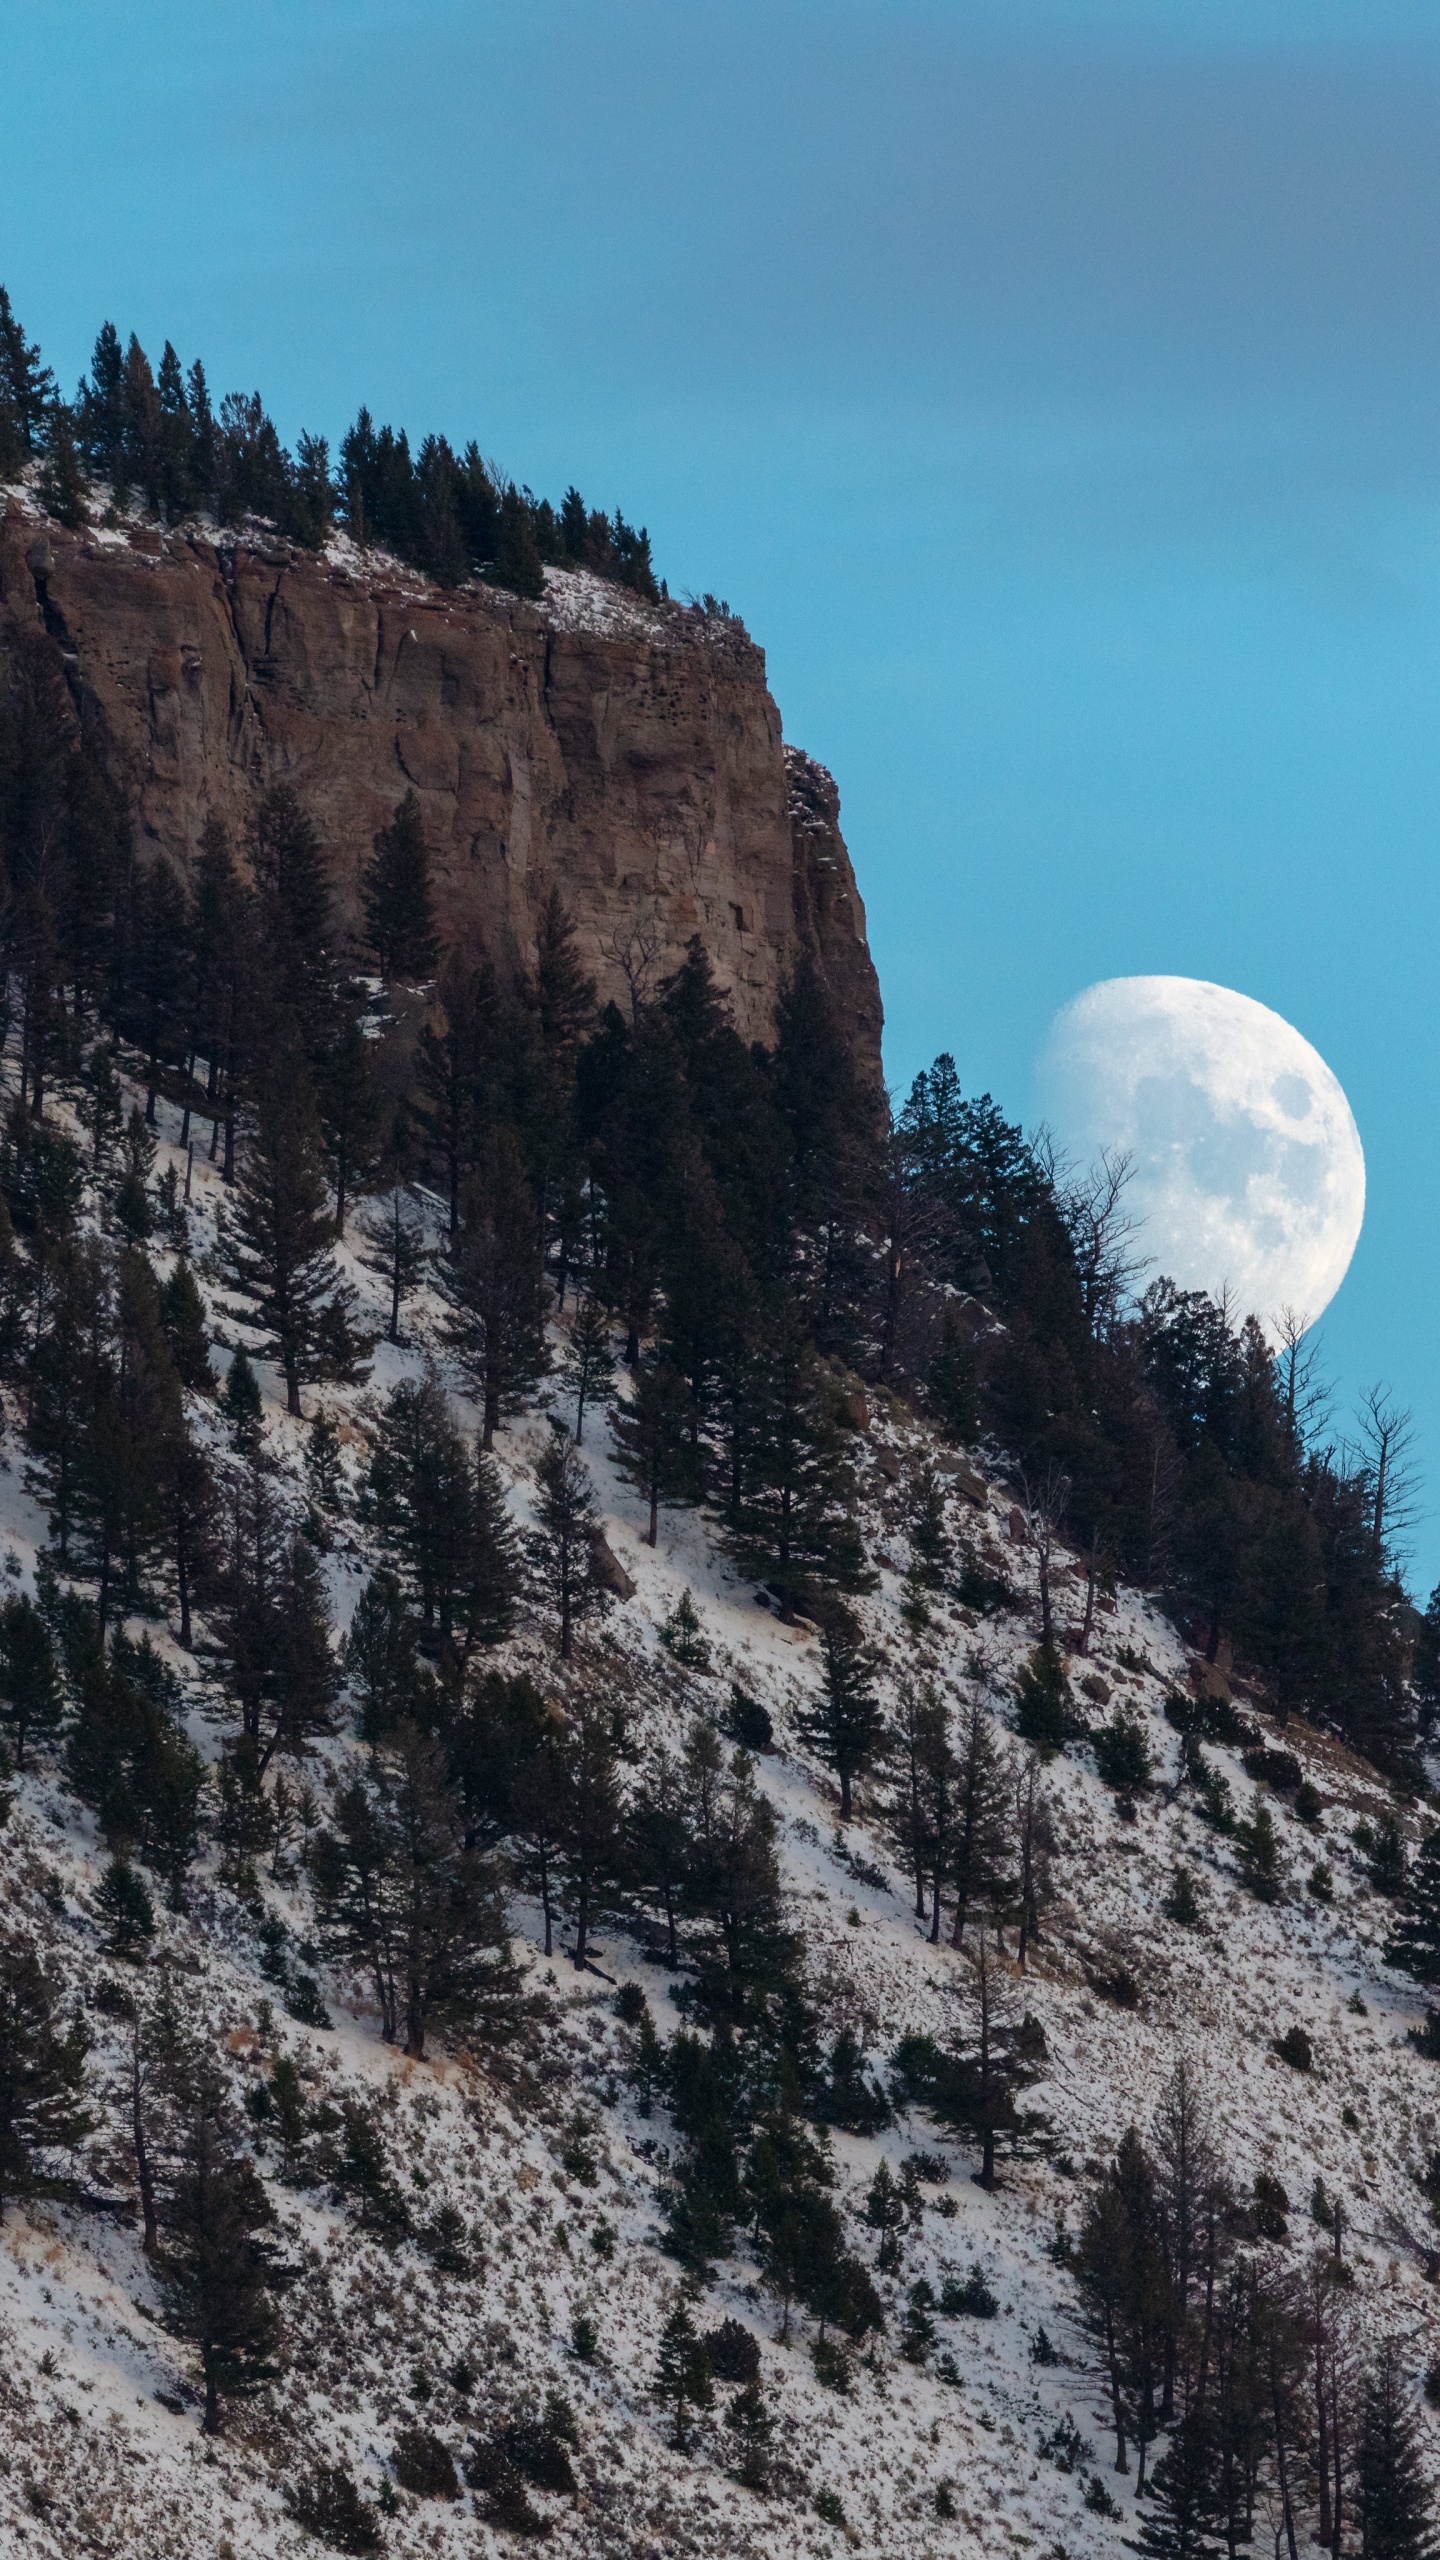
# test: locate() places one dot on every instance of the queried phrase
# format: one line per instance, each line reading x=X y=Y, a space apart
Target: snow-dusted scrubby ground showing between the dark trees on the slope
x=550 y=2272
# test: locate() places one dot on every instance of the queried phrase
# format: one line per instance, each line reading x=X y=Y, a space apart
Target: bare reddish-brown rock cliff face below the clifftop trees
x=626 y=754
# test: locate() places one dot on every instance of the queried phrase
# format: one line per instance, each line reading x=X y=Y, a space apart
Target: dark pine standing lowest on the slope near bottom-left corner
x=214 y=2267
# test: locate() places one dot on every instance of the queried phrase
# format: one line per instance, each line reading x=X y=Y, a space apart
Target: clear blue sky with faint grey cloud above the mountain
x=1054 y=390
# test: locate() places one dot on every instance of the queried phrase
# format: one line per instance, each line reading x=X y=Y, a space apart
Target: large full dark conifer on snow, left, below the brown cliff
x=275 y=1245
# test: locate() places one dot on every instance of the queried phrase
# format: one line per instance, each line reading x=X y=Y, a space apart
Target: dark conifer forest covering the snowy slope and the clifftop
x=714 y=1834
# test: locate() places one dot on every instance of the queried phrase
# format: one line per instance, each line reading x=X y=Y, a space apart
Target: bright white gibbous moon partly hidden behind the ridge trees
x=1247 y=1161
